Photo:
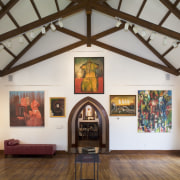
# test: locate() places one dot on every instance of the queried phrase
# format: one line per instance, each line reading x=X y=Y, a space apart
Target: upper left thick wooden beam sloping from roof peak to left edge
x=41 y=22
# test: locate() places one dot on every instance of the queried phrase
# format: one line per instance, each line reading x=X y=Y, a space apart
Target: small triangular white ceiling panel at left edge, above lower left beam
x=5 y=59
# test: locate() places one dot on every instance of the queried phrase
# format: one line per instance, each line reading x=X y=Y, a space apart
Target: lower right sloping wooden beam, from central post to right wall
x=134 y=57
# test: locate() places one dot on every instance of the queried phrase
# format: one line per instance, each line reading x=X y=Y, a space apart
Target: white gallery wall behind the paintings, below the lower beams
x=122 y=76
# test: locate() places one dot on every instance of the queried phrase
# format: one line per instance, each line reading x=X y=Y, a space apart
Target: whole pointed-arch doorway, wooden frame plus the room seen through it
x=90 y=115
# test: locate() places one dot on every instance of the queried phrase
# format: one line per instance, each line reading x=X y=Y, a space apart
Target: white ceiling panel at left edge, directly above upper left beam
x=6 y=24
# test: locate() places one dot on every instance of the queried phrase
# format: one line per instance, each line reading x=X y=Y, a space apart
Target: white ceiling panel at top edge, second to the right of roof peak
x=131 y=7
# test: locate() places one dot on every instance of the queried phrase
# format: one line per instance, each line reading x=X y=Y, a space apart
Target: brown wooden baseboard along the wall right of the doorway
x=145 y=152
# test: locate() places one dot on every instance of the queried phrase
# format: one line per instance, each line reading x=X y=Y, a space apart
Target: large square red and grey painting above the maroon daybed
x=26 y=108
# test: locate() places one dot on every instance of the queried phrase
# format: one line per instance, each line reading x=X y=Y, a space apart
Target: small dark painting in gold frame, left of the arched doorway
x=57 y=106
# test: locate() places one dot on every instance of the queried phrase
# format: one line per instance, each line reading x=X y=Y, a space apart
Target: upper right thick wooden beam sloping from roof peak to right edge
x=135 y=20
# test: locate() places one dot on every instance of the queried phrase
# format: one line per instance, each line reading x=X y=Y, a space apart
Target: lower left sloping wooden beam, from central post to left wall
x=42 y=58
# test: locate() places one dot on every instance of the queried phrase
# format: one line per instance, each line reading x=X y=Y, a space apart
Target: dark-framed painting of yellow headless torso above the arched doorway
x=89 y=75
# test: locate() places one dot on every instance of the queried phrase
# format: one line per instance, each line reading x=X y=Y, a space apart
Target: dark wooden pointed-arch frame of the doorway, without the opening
x=103 y=124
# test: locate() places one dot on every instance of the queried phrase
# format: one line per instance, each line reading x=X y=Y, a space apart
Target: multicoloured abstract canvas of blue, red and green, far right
x=154 y=111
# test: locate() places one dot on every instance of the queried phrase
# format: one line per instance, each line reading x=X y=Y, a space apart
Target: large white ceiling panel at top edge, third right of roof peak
x=153 y=11
